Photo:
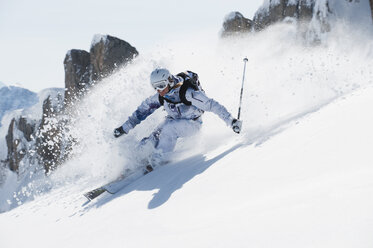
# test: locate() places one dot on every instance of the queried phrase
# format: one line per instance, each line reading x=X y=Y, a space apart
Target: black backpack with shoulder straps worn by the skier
x=189 y=82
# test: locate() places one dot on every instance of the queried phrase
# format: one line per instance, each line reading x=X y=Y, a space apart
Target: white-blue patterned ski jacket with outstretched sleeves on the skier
x=176 y=109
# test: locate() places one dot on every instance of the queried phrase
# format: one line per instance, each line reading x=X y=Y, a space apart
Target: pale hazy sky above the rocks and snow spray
x=35 y=35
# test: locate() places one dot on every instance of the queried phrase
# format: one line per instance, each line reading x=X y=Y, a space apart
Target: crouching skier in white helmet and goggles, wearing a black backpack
x=185 y=101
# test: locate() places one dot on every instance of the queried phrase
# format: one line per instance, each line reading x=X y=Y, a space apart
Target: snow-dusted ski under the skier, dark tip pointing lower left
x=118 y=184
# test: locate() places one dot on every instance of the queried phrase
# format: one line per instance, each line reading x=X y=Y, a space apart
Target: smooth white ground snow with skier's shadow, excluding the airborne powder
x=307 y=186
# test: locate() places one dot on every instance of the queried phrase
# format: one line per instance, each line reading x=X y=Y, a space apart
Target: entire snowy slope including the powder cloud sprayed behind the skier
x=299 y=174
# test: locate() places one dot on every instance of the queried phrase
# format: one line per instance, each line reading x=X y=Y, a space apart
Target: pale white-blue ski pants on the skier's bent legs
x=163 y=139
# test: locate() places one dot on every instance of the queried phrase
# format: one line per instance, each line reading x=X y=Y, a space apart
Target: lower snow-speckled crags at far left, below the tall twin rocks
x=29 y=141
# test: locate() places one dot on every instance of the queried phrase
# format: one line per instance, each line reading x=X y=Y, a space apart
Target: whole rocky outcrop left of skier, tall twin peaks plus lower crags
x=47 y=140
